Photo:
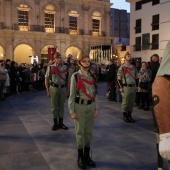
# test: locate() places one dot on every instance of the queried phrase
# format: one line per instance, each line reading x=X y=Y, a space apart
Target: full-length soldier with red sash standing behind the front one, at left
x=56 y=83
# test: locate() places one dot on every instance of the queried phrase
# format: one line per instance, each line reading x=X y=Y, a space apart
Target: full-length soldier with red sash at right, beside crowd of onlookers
x=127 y=75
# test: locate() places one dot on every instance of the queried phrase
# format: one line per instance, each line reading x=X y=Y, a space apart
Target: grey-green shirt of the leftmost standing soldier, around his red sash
x=56 y=78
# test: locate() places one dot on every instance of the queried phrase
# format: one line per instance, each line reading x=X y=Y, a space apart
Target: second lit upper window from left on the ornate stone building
x=49 y=22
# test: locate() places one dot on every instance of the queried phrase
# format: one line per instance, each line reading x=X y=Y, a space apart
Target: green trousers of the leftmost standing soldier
x=58 y=96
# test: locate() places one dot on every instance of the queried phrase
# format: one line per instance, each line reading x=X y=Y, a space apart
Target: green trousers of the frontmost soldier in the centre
x=84 y=124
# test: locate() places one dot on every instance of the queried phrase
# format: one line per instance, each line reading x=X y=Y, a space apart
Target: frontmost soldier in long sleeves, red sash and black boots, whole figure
x=83 y=106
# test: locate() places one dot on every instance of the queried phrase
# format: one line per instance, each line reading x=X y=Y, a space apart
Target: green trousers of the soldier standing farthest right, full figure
x=128 y=98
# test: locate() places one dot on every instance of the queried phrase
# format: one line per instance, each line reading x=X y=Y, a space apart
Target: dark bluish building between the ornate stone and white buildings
x=120 y=31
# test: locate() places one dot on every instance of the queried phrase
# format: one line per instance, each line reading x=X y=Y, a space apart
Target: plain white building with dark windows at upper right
x=149 y=27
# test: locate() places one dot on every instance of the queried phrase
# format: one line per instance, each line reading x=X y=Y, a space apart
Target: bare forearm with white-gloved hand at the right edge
x=161 y=98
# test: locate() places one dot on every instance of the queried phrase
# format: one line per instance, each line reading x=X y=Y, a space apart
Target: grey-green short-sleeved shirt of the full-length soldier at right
x=130 y=76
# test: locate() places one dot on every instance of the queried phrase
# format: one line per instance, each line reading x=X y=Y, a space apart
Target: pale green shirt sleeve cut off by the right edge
x=164 y=68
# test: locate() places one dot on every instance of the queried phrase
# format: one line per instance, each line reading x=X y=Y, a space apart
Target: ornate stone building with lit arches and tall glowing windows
x=30 y=27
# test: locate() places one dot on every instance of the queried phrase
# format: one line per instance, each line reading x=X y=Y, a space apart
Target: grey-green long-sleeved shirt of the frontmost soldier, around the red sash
x=90 y=89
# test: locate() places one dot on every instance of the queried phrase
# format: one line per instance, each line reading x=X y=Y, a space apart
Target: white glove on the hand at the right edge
x=164 y=145
